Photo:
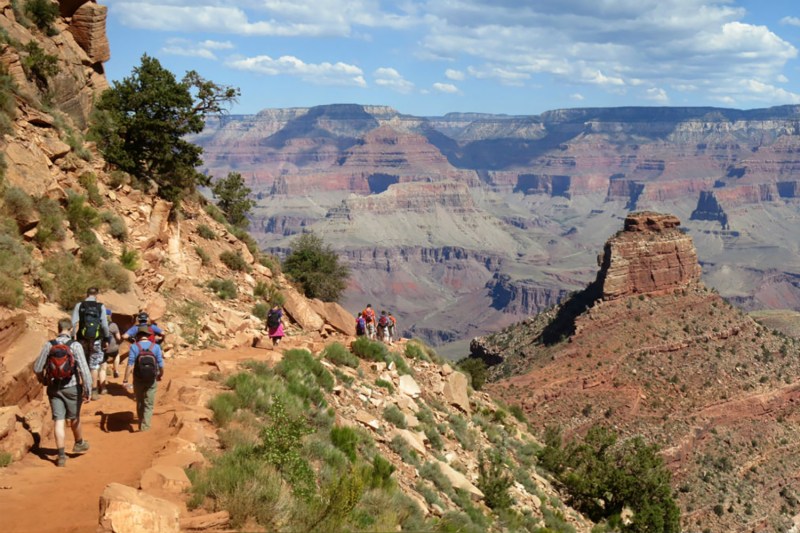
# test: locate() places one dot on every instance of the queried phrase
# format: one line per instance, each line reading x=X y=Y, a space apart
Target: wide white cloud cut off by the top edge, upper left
x=321 y=18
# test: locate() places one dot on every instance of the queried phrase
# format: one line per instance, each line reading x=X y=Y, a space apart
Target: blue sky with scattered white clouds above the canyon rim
x=431 y=57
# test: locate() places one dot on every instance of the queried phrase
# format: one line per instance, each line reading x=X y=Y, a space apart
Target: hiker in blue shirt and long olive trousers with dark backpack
x=146 y=361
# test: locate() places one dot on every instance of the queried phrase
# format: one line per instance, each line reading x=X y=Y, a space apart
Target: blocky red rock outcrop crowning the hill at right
x=651 y=255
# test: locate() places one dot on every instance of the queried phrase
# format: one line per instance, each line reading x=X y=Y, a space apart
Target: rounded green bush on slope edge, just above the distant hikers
x=316 y=267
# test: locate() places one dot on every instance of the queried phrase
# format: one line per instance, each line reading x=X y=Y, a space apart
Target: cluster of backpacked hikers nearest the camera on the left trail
x=74 y=366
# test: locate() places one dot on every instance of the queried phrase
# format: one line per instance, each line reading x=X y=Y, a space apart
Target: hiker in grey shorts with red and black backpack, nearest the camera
x=62 y=366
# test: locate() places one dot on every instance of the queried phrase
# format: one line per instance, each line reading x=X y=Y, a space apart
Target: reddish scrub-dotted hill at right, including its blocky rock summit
x=649 y=349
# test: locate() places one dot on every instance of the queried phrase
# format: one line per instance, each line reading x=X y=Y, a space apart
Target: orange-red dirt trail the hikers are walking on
x=37 y=497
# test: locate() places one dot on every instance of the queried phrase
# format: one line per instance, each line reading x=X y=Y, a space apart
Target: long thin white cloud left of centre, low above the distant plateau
x=319 y=73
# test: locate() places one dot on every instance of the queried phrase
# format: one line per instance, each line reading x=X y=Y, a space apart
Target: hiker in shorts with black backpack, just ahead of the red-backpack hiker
x=90 y=328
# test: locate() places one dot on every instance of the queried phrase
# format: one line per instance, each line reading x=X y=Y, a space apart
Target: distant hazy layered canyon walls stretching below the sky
x=553 y=185
